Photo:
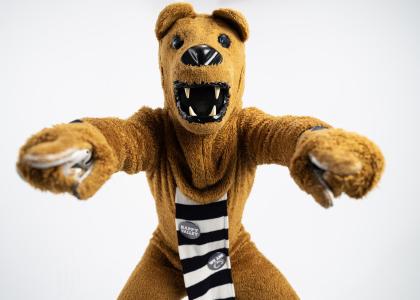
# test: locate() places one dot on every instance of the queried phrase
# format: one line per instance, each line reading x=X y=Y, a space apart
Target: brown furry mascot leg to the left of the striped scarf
x=154 y=278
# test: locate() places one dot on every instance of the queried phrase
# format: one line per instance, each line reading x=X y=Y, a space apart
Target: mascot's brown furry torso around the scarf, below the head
x=203 y=167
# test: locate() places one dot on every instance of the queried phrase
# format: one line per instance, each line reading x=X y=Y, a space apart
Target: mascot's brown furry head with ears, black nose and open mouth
x=202 y=63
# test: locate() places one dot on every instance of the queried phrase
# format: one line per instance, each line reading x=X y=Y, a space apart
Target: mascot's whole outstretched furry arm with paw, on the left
x=79 y=157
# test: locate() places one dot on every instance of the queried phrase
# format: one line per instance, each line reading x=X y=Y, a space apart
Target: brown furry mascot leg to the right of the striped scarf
x=255 y=277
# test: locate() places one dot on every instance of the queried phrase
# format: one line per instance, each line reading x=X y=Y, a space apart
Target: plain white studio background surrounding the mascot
x=354 y=64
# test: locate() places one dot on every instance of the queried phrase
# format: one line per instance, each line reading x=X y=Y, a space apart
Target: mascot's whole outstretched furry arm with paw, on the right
x=324 y=162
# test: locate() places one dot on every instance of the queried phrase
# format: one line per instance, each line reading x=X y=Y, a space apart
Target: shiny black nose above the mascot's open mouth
x=201 y=55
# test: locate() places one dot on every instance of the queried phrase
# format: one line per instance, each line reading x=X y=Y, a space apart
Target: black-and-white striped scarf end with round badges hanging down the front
x=201 y=257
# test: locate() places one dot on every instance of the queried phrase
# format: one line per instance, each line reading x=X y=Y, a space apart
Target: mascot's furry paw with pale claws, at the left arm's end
x=72 y=158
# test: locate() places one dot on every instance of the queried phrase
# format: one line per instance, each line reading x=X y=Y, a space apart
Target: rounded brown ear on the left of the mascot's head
x=169 y=15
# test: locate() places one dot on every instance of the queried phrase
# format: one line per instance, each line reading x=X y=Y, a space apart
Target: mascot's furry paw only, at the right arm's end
x=329 y=162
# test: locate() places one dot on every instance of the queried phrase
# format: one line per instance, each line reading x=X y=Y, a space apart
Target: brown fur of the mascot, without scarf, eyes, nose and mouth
x=208 y=160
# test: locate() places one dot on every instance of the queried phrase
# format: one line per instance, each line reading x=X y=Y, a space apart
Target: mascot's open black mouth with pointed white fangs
x=202 y=102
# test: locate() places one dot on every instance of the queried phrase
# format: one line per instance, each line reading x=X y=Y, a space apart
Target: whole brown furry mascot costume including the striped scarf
x=200 y=153
